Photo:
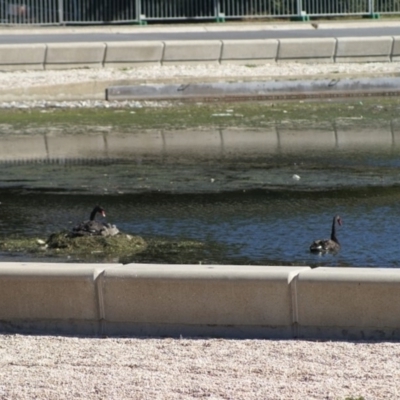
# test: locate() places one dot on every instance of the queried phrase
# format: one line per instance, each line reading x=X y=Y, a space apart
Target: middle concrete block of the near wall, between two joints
x=199 y=300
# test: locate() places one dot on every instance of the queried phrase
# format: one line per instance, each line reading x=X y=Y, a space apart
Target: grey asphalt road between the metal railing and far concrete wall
x=197 y=35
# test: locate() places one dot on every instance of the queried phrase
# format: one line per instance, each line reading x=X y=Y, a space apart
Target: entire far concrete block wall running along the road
x=125 y=54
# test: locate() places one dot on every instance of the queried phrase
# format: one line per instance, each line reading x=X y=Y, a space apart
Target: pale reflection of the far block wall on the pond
x=194 y=143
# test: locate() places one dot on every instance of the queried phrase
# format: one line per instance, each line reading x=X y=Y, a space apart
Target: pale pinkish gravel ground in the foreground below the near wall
x=83 y=368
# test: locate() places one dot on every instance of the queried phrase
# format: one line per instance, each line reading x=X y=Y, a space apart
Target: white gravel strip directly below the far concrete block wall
x=22 y=79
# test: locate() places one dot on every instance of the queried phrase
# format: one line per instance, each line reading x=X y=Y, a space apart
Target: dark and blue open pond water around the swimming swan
x=263 y=207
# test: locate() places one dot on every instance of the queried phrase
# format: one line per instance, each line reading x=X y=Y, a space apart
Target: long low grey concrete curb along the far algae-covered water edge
x=267 y=90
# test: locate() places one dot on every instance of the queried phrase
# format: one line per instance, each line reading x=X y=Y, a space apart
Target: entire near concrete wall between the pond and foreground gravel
x=200 y=300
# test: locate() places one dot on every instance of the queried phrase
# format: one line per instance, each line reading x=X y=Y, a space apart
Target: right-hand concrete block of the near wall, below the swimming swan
x=348 y=303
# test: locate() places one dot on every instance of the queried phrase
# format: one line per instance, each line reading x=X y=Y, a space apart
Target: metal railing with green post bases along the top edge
x=69 y=12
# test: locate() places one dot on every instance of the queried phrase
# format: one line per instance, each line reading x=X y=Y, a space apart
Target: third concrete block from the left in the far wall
x=131 y=54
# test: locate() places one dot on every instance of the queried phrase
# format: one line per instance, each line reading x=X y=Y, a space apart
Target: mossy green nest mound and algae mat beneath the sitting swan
x=121 y=248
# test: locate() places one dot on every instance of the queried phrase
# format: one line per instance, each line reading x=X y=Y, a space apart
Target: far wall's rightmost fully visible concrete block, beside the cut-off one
x=366 y=49
